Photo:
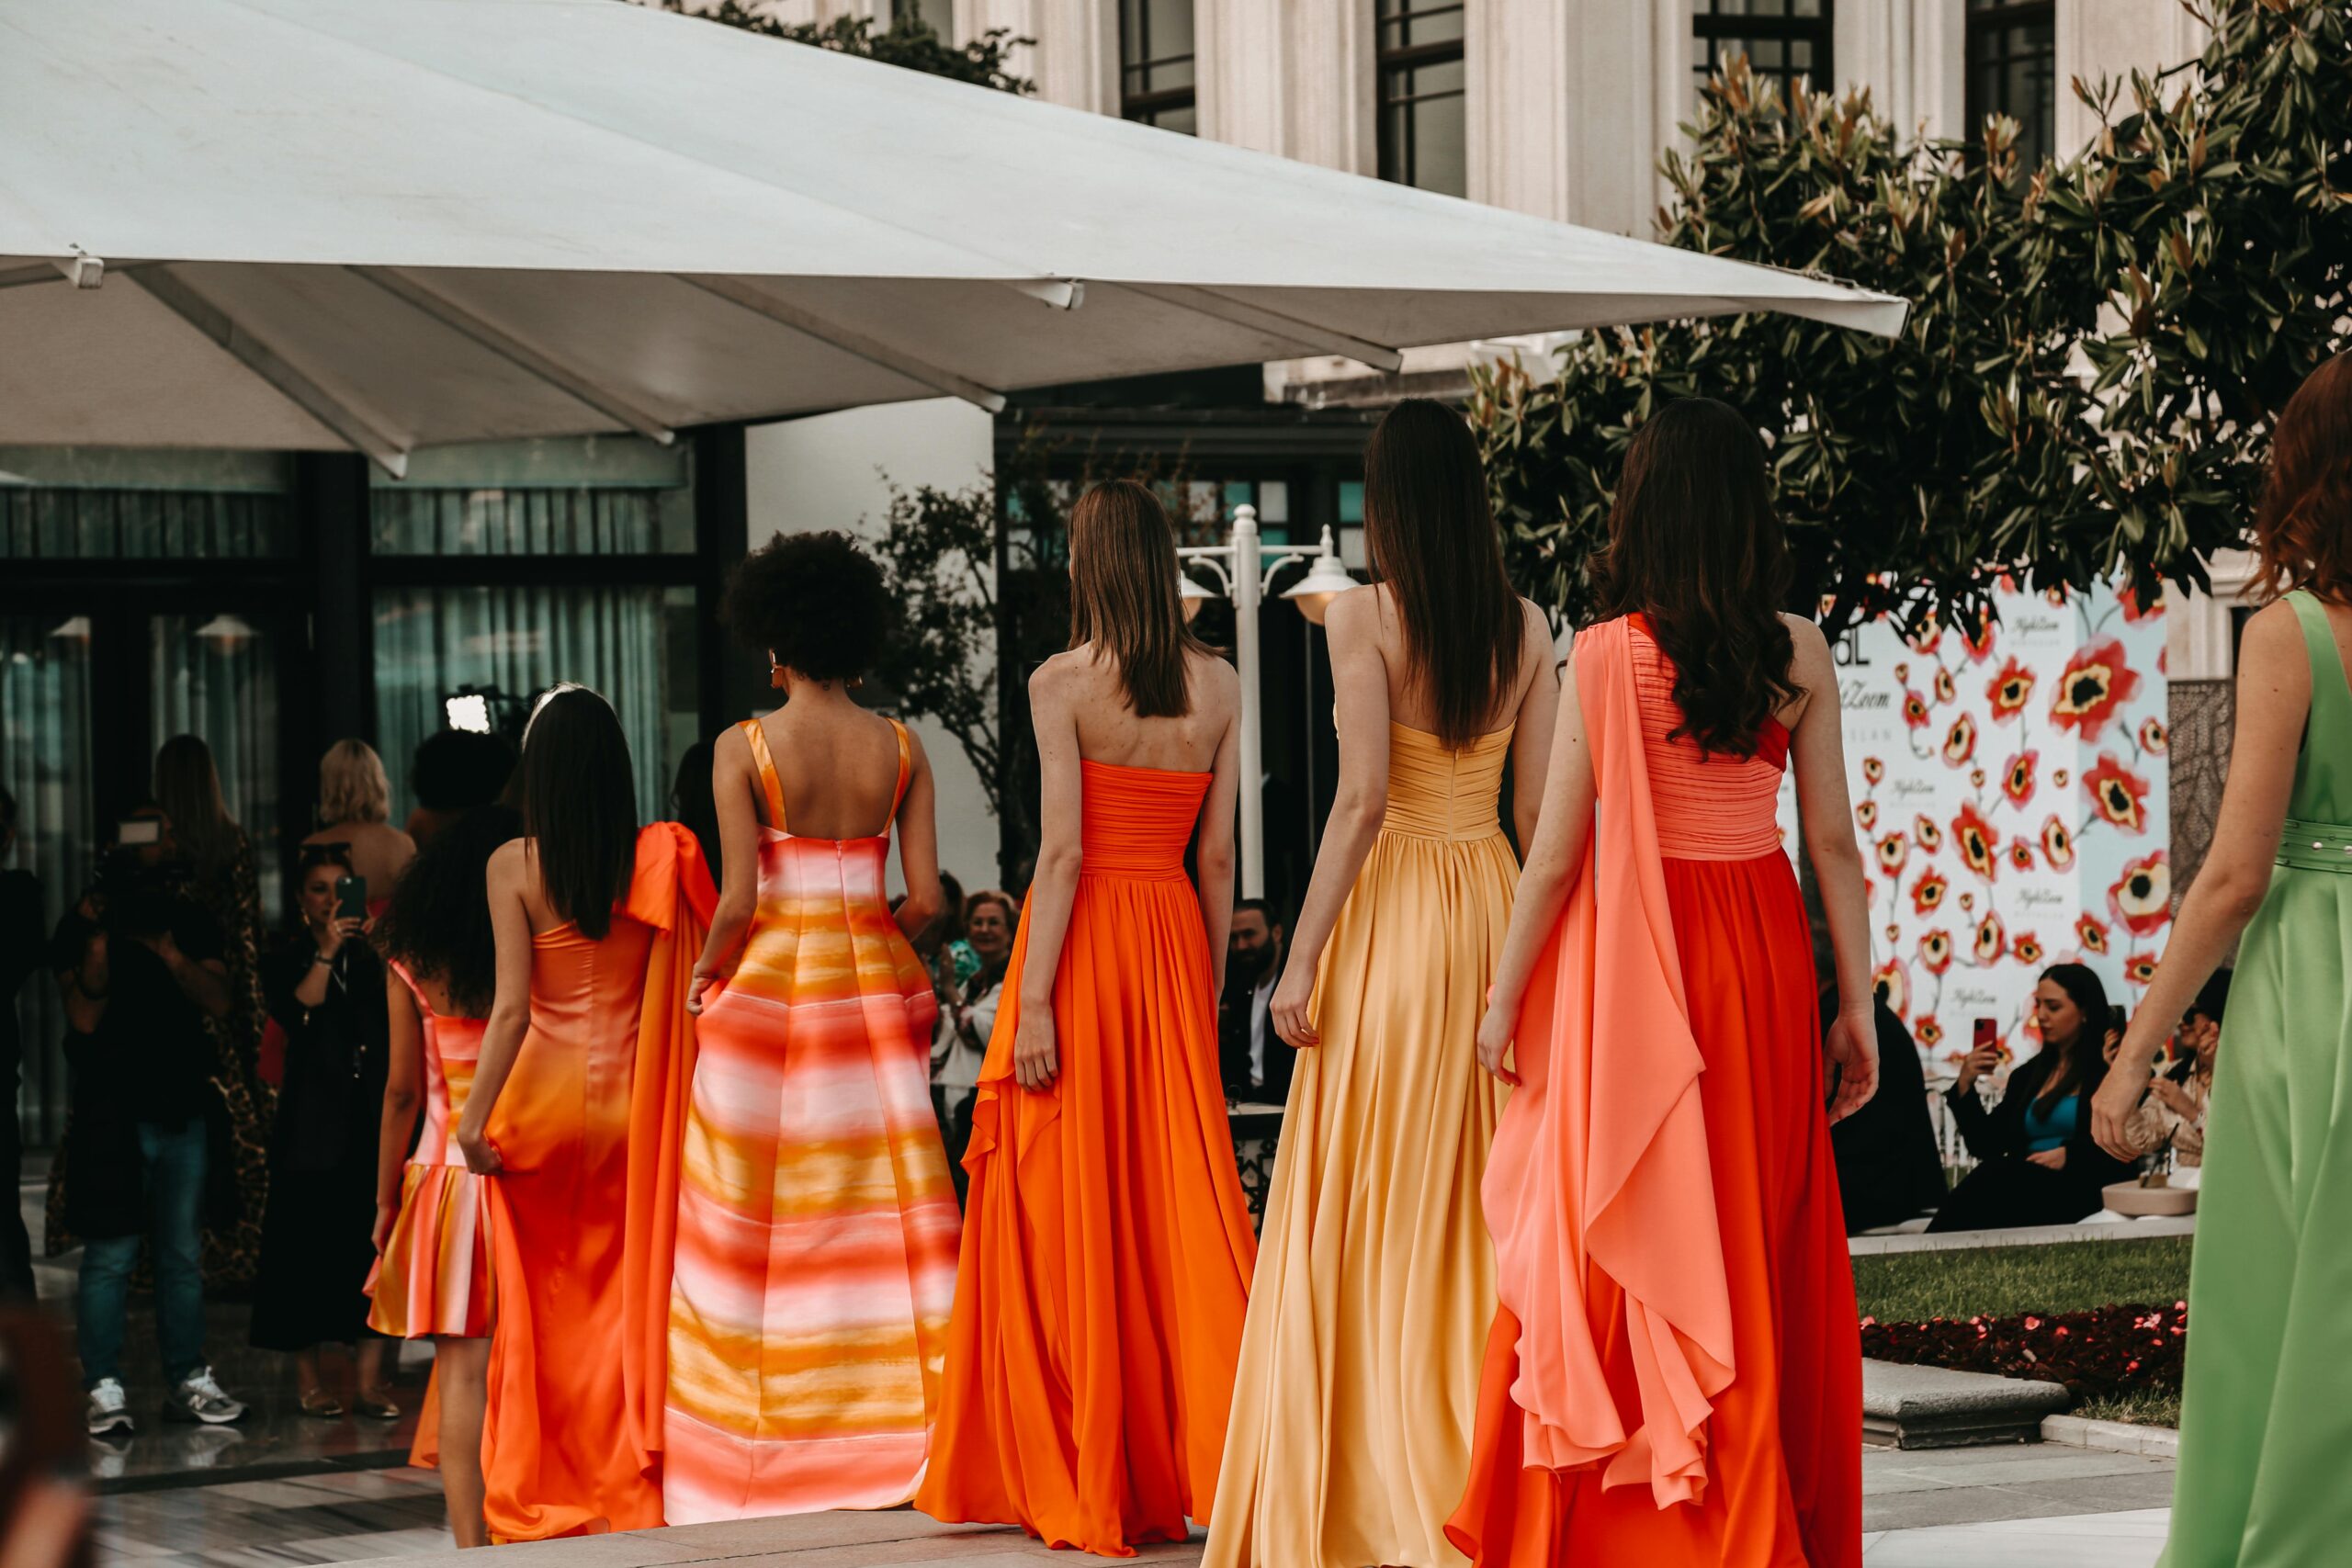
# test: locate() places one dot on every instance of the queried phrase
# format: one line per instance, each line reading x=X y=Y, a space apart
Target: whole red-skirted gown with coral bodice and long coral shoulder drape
x=1673 y=1376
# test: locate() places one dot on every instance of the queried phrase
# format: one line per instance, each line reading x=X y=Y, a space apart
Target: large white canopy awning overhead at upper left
x=389 y=225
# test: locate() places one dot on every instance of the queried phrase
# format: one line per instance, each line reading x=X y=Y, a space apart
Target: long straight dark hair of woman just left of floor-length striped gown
x=580 y=805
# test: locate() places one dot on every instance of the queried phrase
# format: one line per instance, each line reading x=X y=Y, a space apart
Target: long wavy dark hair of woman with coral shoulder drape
x=1697 y=547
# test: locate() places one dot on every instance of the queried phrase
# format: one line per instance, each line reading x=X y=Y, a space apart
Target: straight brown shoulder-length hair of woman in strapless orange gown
x=1123 y=596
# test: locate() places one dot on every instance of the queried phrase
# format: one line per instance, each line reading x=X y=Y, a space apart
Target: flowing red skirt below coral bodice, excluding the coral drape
x=1784 y=1442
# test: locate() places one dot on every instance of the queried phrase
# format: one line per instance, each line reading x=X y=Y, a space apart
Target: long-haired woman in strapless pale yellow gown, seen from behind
x=1377 y=1282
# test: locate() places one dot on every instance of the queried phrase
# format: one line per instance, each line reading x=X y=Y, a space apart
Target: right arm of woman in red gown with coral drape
x=1826 y=817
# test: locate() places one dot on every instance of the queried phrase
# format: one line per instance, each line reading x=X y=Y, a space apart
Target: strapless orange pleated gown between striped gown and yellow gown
x=1107 y=1242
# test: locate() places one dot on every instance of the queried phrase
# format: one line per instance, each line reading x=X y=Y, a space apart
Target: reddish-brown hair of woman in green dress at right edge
x=2304 y=525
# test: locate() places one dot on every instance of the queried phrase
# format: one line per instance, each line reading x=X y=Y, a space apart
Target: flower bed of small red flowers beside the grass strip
x=2106 y=1351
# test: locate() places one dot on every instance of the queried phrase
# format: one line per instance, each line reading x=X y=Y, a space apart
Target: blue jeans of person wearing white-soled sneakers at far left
x=175 y=1184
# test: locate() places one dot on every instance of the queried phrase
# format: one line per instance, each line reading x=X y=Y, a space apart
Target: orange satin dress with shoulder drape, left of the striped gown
x=584 y=1212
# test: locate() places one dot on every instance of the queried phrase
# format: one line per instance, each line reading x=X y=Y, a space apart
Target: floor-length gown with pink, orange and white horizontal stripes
x=817 y=1228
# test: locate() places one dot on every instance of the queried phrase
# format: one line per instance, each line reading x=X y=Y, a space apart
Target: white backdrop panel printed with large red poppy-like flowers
x=2010 y=784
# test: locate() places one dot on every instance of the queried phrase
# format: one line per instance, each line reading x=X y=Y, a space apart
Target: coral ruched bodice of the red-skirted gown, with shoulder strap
x=1711 y=808
